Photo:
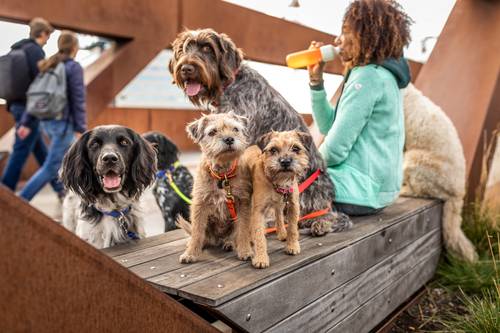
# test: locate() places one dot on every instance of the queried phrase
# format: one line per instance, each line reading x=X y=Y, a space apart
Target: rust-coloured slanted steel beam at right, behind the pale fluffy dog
x=461 y=75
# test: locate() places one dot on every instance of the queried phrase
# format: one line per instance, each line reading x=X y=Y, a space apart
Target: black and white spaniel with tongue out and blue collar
x=105 y=171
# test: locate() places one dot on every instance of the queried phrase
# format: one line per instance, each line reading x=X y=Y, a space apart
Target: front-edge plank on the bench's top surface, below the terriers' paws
x=221 y=288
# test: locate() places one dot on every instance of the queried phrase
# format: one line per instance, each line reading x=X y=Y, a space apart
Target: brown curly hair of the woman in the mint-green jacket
x=381 y=30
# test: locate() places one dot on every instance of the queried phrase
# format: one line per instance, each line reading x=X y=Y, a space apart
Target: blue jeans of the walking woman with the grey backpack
x=61 y=136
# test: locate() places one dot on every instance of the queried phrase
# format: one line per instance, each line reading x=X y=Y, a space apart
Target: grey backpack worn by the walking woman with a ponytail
x=46 y=96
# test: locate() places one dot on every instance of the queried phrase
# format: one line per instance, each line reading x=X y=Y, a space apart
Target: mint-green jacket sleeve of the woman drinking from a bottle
x=354 y=111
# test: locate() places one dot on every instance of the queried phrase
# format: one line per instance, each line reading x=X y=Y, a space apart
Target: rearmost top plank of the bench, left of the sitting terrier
x=133 y=245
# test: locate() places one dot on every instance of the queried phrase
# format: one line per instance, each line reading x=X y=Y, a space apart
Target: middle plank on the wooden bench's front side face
x=331 y=308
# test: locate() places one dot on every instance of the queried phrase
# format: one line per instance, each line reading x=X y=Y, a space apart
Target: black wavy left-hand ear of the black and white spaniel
x=77 y=173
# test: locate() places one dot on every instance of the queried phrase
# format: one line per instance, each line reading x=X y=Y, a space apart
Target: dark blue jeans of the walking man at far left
x=21 y=150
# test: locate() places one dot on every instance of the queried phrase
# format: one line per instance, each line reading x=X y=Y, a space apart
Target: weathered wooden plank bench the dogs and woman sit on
x=343 y=282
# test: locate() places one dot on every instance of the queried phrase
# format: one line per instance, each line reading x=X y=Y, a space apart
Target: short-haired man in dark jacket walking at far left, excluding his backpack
x=40 y=31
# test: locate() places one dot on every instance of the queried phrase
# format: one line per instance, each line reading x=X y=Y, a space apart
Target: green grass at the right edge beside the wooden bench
x=477 y=284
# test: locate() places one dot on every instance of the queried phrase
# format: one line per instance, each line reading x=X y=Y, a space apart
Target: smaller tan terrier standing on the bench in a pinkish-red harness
x=276 y=168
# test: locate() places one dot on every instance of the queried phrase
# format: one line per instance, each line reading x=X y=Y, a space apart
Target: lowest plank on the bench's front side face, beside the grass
x=375 y=310
